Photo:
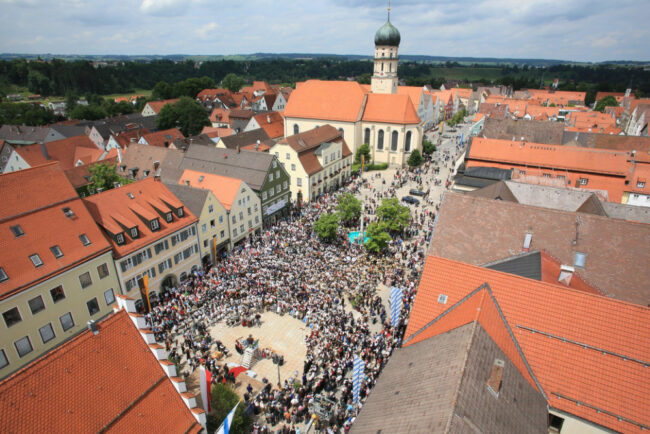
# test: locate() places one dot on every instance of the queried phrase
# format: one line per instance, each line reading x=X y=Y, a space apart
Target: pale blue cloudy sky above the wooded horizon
x=582 y=30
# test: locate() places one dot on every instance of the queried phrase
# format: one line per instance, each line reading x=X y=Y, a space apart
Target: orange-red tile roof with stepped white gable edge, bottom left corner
x=109 y=381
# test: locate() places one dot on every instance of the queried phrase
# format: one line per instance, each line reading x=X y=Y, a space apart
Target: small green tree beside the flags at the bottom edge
x=222 y=401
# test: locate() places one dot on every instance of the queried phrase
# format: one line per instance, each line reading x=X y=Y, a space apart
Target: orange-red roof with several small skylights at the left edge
x=32 y=197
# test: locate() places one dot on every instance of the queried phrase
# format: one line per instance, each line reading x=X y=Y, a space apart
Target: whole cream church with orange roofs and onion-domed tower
x=383 y=115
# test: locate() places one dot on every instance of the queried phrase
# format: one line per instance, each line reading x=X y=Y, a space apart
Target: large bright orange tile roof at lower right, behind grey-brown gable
x=581 y=347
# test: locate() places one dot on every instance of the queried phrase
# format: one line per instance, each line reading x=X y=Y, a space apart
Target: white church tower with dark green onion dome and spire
x=384 y=77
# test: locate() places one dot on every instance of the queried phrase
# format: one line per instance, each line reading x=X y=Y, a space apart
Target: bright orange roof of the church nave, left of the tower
x=329 y=100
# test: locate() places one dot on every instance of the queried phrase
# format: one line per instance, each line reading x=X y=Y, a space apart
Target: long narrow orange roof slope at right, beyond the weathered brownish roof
x=554 y=156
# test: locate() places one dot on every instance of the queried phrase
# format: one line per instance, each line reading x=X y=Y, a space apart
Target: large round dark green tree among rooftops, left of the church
x=186 y=114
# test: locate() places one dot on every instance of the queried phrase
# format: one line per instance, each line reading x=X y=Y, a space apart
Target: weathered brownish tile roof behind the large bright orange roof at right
x=478 y=231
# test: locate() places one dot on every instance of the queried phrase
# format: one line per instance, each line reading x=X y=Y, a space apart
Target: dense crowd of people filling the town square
x=289 y=271
